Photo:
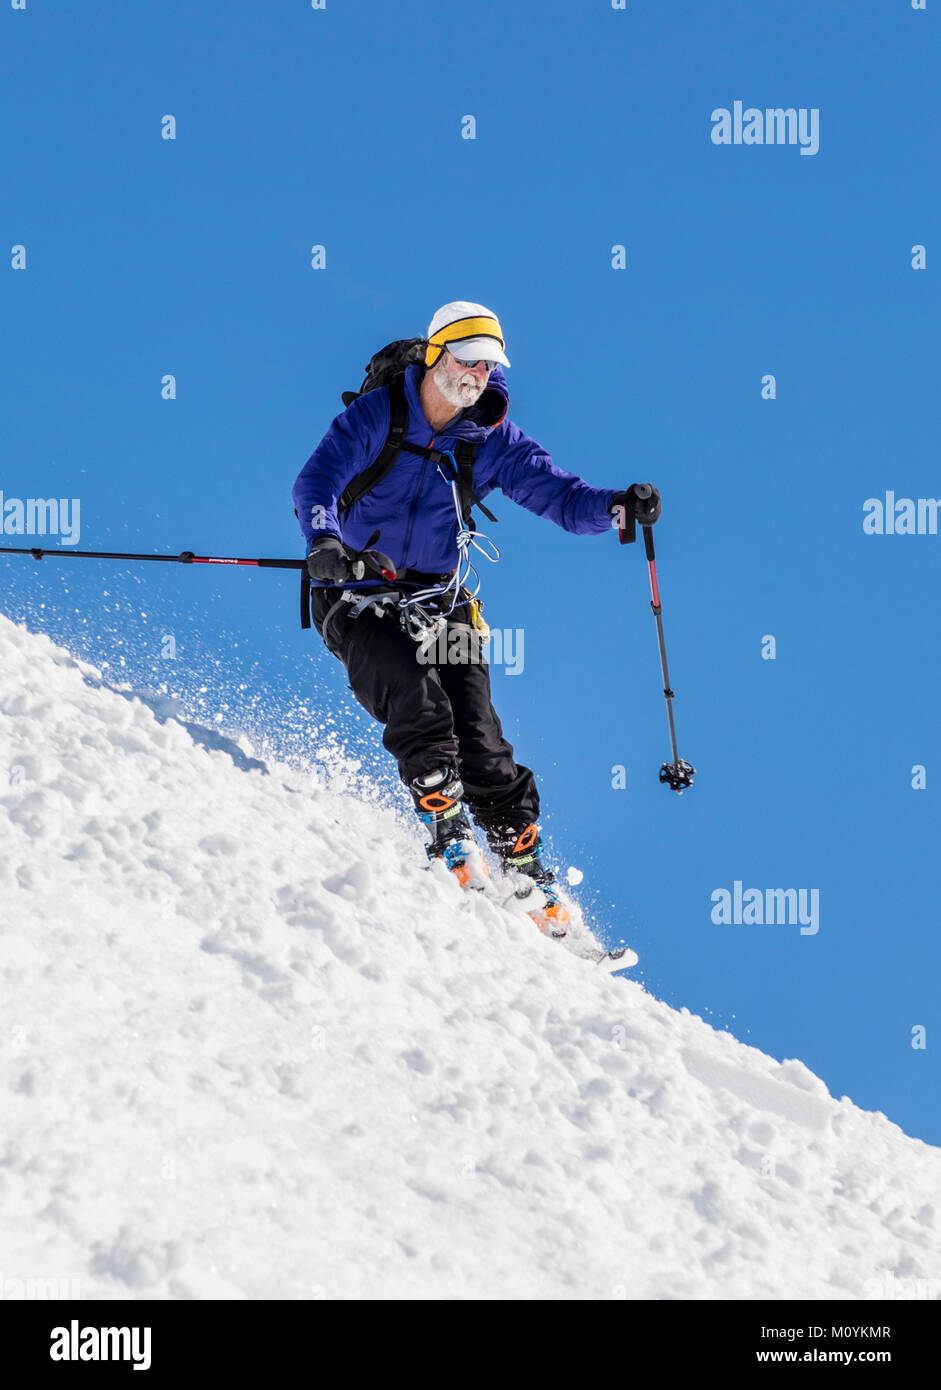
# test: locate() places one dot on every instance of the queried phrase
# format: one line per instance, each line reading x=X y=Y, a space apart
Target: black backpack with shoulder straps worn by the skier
x=387 y=368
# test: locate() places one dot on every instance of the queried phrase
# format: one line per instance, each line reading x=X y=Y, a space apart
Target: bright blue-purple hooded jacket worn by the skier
x=414 y=508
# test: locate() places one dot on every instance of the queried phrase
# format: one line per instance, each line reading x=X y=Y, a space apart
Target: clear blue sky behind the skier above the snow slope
x=343 y=129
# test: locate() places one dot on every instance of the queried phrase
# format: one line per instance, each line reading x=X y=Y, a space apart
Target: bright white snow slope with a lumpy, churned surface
x=252 y=1047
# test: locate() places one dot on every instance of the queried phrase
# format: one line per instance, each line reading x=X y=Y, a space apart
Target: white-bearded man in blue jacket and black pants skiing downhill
x=440 y=722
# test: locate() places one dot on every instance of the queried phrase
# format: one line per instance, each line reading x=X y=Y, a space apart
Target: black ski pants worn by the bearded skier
x=436 y=715
